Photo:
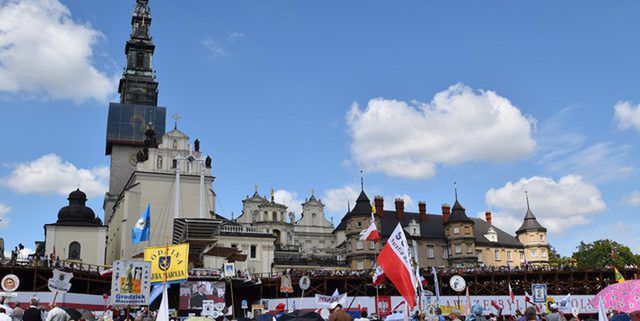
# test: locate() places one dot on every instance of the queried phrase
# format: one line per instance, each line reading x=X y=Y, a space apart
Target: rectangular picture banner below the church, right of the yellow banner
x=193 y=294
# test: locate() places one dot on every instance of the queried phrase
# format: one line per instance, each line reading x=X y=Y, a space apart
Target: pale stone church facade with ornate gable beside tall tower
x=154 y=183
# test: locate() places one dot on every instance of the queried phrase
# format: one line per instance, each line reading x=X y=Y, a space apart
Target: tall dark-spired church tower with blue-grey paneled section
x=129 y=118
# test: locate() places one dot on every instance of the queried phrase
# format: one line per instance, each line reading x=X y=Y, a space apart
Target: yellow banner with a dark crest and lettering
x=172 y=261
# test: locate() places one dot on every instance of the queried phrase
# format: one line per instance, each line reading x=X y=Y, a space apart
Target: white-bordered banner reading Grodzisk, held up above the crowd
x=131 y=283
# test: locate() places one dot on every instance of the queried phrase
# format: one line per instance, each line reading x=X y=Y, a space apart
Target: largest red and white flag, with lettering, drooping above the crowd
x=395 y=260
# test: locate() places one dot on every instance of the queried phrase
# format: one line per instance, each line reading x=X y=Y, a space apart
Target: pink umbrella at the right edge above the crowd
x=623 y=297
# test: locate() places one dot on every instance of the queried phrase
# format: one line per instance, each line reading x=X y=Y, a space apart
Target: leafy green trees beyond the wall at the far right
x=602 y=253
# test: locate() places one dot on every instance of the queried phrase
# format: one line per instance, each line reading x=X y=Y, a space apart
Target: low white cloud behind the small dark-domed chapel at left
x=50 y=174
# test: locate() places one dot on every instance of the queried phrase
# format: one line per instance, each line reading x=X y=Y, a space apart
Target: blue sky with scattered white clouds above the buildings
x=297 y=96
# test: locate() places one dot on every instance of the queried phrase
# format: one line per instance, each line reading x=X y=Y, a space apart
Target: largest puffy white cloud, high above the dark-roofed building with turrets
x=459 y=125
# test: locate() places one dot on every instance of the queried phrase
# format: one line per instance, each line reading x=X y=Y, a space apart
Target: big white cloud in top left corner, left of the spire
x=43 y=52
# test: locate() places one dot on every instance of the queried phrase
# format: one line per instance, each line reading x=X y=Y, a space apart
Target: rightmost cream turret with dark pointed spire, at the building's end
x=534 y=238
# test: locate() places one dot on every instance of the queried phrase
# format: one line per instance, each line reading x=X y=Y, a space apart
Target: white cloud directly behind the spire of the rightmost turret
x=558 y=205
